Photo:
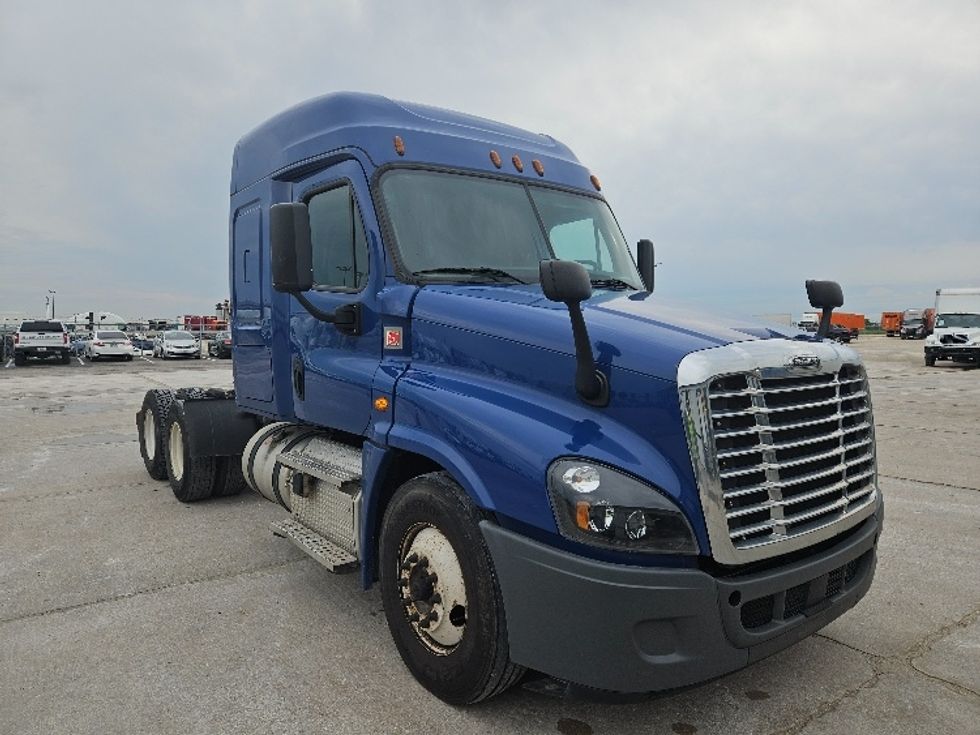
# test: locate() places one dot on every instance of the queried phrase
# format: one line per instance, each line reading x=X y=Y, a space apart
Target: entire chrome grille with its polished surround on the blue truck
x=784 y=457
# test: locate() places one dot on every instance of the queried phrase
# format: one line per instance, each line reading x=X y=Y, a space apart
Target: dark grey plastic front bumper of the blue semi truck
x=640 y=629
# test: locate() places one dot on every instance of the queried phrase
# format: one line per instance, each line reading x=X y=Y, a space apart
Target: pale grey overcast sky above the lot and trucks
x=758 y=144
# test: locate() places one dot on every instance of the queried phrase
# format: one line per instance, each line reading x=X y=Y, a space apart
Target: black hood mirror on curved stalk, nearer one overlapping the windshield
x=568 y=282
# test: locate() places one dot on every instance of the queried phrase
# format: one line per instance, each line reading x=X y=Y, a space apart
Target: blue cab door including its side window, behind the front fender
x=332 y=368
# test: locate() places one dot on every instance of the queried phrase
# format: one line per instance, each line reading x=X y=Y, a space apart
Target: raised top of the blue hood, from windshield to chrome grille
x=631 y=330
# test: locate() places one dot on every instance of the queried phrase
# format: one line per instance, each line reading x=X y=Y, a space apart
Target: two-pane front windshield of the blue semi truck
x=458 y=227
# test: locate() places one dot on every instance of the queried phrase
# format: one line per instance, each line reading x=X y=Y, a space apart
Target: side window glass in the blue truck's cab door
x=340 y=259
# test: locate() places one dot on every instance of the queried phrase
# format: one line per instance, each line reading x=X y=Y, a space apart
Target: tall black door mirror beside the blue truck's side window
x=291 y=247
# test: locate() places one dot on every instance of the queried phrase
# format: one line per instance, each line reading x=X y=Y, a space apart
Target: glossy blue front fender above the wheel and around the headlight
x=497 y=438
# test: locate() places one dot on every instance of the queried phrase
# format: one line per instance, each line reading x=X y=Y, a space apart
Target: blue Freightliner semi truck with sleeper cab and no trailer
x=452 y=374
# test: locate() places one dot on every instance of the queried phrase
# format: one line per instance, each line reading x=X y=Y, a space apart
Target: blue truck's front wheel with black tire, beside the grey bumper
x=440 y=593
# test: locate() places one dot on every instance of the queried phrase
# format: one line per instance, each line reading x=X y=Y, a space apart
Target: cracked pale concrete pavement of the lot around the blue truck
x=125 y=611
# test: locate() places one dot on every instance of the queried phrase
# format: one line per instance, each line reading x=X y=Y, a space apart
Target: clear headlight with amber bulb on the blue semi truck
x=600 y=506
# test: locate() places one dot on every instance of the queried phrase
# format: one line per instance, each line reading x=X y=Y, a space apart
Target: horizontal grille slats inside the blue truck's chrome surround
x=792 y=451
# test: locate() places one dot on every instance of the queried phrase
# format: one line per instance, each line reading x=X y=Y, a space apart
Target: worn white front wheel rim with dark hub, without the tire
x=432 y=590
